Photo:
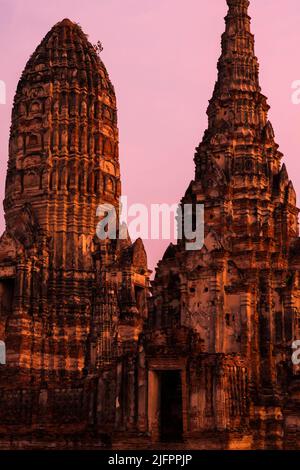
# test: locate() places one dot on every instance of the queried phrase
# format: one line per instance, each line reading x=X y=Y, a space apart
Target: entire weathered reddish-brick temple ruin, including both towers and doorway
x=92 y=359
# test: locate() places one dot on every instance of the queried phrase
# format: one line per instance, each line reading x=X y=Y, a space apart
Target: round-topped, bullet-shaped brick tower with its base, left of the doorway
x=69 y=305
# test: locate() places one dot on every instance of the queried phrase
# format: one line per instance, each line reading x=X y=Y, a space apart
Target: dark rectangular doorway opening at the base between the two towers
x=171 y=424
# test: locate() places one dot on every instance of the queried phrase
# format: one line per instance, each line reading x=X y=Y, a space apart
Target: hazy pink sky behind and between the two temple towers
x=161 y=56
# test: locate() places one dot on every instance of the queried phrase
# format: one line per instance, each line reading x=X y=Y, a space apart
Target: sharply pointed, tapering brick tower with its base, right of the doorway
x=238 y=295
